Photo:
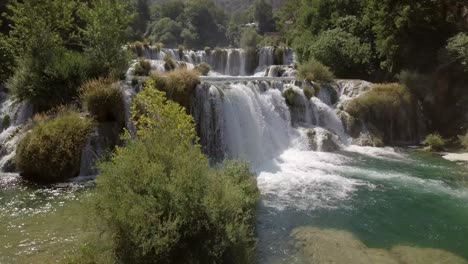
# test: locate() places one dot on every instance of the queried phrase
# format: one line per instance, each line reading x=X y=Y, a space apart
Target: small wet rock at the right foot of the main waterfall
x=322 y=140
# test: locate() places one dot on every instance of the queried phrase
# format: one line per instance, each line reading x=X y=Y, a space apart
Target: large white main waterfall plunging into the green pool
x=249 y=119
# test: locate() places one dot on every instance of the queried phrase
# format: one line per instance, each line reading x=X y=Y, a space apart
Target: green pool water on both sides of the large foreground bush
x=381 y=198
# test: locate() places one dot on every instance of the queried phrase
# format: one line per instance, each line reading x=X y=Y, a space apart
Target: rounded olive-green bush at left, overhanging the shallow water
x=51 y=152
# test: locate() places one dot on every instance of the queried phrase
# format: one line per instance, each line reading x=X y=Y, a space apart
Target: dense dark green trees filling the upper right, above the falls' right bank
x=424 y=42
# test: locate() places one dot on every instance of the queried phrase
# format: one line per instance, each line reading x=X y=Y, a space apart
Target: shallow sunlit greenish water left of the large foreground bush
x=40 y=224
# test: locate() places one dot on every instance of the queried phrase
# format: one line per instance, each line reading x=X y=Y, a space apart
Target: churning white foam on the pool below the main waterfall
x=303 y=180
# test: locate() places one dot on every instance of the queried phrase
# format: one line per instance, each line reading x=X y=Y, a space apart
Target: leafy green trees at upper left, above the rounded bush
x=59 y=44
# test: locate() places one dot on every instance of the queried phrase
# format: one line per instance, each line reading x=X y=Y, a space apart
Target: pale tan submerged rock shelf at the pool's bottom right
x=341 y=247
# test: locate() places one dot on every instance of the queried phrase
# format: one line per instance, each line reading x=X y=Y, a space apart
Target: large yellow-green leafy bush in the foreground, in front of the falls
x=174 y=208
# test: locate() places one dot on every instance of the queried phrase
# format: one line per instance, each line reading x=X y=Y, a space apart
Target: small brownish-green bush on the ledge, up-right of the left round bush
x=103 y=99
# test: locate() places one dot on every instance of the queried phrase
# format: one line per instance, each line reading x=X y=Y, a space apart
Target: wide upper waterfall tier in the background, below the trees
x=233 y=62
